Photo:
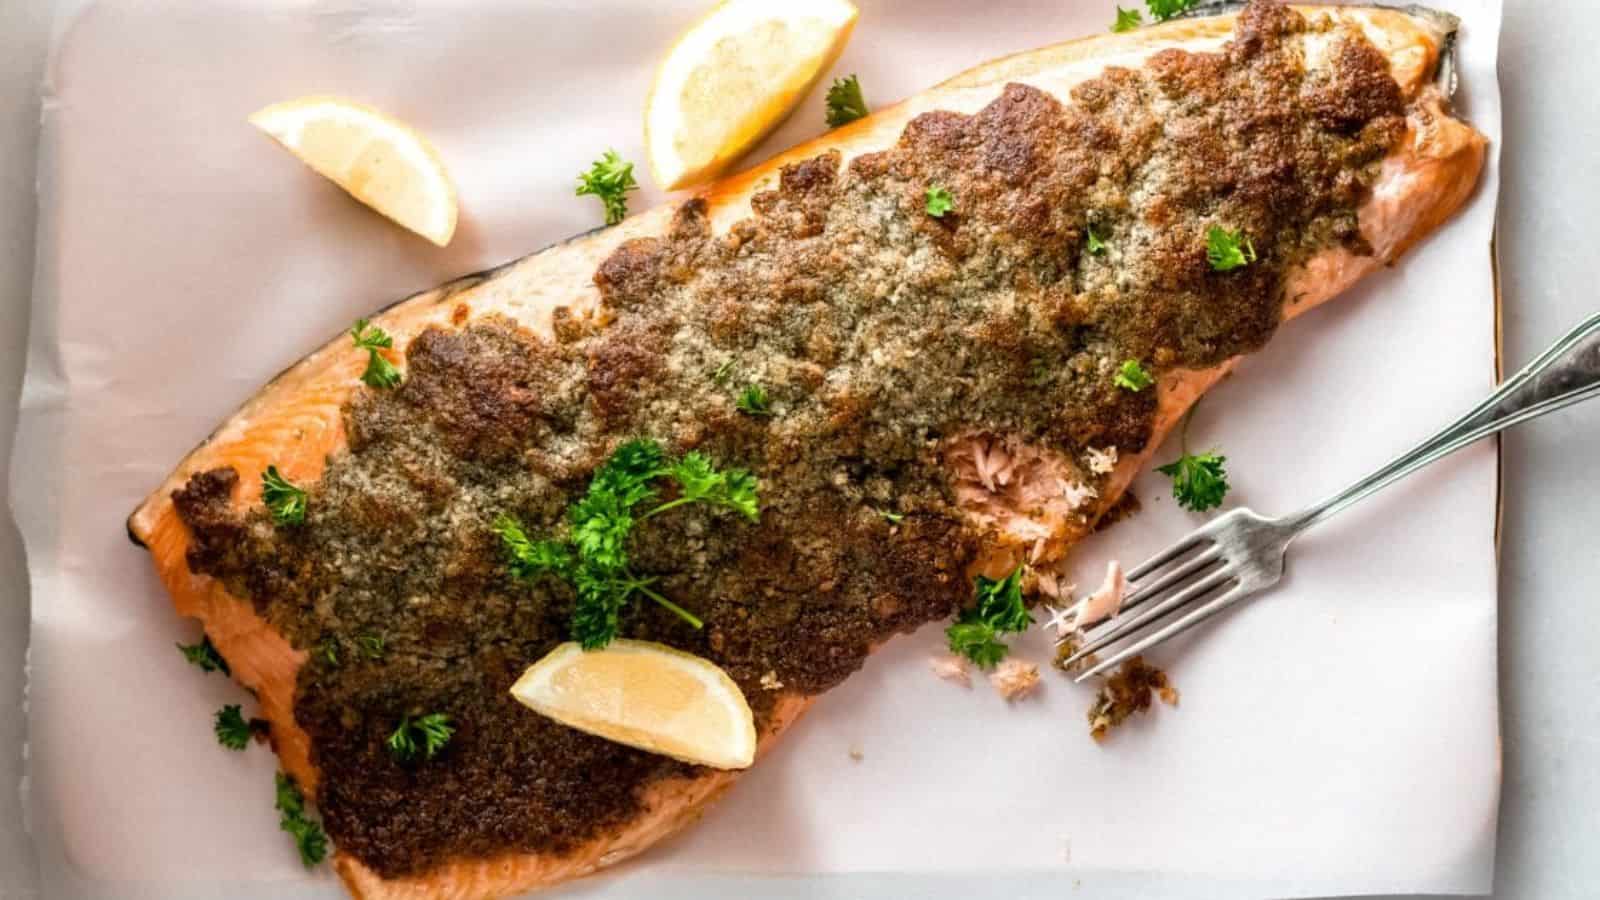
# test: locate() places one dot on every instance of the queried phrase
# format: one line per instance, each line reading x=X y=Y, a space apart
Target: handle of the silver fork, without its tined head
x=1566 y=374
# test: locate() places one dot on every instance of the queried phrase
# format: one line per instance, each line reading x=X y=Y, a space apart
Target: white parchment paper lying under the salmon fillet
x=1335 y=739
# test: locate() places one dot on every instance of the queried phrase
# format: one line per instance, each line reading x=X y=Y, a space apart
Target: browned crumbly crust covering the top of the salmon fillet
x=878 y=332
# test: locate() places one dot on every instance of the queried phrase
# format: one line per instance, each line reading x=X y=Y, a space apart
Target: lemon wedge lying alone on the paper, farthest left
x=378 y=159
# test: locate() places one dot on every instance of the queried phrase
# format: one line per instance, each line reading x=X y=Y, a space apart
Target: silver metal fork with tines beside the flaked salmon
x=1241 y=553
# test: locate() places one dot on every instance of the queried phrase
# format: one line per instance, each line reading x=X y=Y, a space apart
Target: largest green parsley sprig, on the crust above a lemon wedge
x=593 y=558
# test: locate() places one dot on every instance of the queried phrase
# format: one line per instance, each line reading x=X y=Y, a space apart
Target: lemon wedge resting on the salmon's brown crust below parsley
x=646 y=696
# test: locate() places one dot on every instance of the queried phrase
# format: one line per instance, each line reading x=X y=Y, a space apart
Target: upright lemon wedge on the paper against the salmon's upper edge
x=734 y=78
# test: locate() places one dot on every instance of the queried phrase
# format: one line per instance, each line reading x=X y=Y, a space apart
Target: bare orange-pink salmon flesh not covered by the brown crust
x=1028 y=499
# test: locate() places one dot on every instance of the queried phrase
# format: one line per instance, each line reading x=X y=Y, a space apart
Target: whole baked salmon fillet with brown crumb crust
x=940 y=400
